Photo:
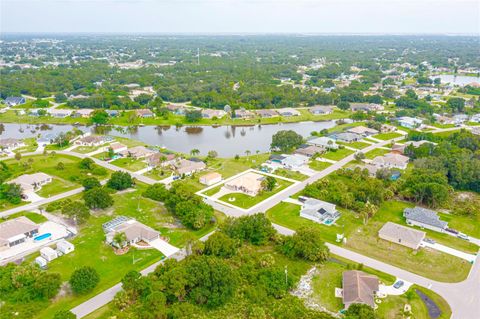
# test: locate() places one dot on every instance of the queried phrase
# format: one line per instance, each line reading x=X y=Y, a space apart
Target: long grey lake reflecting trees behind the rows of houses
x=226 y=140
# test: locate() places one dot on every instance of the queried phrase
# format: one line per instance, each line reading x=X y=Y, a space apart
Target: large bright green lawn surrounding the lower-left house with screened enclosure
x=90 y=249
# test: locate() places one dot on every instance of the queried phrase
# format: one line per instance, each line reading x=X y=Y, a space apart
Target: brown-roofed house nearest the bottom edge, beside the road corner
x=359 y=287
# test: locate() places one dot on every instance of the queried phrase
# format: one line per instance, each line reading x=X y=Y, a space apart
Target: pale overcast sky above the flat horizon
x=242 y=16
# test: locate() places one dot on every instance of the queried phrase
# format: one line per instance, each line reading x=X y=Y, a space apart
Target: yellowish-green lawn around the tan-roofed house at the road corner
x=425 y=262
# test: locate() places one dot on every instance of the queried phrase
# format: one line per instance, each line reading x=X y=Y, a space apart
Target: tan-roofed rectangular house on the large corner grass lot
x=401 y=235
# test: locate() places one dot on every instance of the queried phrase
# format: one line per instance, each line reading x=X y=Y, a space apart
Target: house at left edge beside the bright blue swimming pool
x=16 y=231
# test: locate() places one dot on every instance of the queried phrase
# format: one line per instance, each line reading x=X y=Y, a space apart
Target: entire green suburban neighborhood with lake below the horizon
x=239 y=177
